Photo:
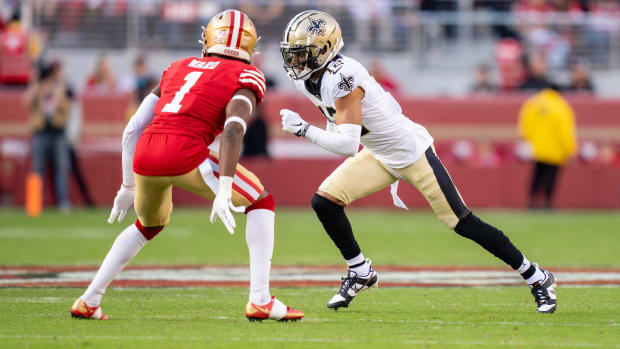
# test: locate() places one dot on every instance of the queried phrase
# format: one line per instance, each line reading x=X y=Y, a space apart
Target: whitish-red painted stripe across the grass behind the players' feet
x=215 y=274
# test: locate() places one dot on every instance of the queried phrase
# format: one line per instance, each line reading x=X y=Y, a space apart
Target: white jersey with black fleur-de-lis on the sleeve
x=390 y=136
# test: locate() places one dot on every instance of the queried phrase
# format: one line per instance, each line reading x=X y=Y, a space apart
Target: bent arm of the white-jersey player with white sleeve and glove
x=346 y=140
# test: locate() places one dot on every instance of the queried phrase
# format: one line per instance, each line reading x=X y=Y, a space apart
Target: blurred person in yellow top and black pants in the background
x=547 y=122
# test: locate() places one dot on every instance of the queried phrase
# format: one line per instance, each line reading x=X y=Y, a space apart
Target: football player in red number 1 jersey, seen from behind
x=166 y=143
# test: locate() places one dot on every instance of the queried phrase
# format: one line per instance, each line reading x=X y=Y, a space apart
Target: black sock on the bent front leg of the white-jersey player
x=336 y=225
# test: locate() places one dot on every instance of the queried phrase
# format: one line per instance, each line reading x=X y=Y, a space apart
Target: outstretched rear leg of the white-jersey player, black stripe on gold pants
x=430 y=177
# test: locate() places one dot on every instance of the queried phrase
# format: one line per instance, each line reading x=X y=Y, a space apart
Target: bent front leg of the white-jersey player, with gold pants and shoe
x=357 y=177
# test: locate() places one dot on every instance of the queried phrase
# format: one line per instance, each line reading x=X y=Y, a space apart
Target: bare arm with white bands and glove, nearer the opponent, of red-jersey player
x=238 y=113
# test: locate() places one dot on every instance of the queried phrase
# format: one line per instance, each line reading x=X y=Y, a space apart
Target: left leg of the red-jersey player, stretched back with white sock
x=153 y=204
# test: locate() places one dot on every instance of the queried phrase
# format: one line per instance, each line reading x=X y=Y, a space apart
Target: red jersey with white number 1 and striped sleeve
x=191 y=112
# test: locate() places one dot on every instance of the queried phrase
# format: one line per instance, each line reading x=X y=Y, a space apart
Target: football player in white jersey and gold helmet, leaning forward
x=359 y=111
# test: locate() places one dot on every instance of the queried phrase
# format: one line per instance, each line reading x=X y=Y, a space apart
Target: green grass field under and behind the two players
x=384 y=318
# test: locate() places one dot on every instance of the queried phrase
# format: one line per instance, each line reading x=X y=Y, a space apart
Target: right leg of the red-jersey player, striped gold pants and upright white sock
x=249 y=192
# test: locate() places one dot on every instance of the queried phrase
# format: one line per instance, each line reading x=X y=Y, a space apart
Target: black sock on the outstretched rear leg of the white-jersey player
x=491 y=238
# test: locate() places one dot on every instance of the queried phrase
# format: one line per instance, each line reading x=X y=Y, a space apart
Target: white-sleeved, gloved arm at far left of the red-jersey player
x=131 y=134
